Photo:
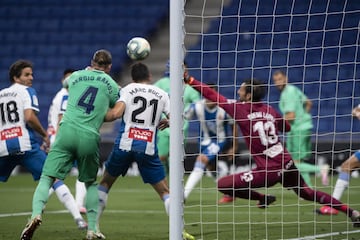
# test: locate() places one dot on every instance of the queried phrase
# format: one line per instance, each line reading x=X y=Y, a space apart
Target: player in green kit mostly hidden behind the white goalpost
x=163 y=137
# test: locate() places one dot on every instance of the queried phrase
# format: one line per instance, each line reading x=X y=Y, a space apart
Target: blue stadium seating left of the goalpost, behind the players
x=61 y=34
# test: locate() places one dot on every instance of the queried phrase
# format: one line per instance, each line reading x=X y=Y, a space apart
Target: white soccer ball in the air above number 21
x=138 y=48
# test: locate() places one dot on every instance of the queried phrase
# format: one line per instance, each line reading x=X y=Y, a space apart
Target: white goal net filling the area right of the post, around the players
x=316 y=44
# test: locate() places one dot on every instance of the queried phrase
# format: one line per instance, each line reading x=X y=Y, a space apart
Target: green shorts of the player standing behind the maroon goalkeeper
x=298 y=143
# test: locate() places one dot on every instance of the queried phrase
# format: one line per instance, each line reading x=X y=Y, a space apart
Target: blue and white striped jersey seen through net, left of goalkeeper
x=213 y=122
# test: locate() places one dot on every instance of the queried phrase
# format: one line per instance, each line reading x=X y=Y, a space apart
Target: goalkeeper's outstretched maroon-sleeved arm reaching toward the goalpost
x=211 y=94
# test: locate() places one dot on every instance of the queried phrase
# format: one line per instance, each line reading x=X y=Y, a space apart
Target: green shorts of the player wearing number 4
x=73 y=144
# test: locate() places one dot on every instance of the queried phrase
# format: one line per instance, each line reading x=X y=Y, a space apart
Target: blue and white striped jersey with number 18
x=15 y=135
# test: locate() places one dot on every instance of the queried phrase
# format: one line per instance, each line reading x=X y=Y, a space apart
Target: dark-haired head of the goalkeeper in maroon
x=252 y=90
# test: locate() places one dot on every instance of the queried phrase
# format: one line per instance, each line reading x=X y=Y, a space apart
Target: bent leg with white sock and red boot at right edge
x=342 y=182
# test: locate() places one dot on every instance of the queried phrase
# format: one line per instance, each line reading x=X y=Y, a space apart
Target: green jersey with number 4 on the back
x=91 y=93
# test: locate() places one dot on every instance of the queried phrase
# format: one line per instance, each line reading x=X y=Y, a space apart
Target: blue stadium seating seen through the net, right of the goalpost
x=255 y=46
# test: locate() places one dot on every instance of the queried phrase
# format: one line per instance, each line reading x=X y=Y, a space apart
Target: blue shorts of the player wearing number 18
x=32 y=160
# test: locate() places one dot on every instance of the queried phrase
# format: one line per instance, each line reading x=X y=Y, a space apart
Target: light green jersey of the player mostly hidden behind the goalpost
x=190 y=94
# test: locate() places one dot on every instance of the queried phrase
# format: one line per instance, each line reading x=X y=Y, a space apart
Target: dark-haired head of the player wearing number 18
x=21 y=72
